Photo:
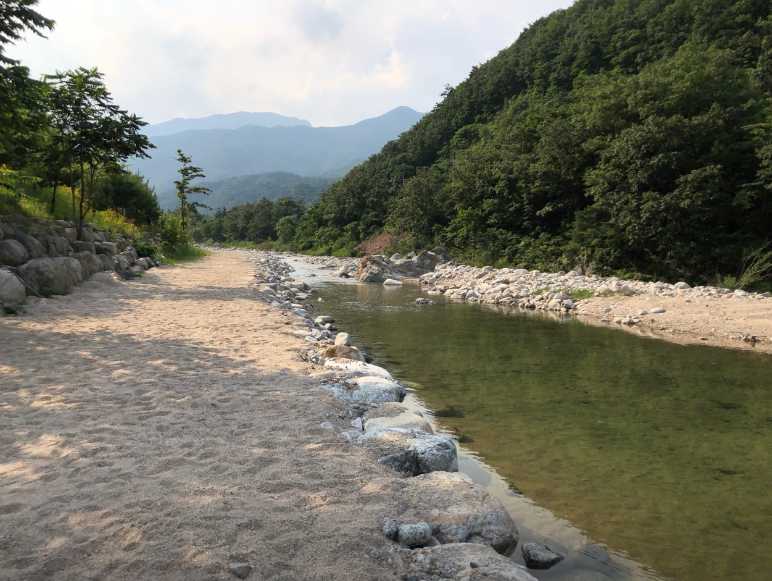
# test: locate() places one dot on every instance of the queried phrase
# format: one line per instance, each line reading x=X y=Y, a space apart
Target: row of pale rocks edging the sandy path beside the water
x=446 y=526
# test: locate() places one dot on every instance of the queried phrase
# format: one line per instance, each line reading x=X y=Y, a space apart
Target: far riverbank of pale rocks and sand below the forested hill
x=674 y=312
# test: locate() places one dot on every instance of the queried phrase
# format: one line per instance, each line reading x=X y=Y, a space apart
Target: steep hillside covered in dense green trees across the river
x=627 y=135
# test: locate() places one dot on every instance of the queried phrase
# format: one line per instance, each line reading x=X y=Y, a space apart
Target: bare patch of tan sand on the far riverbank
x=721 y=322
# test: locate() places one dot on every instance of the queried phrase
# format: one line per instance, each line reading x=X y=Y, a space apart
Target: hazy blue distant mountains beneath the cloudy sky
x=225 y=147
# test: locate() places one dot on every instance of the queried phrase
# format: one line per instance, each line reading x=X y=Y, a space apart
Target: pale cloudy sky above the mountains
x=332 y=62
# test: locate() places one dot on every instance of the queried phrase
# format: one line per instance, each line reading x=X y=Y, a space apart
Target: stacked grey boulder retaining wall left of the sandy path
x=42 y=258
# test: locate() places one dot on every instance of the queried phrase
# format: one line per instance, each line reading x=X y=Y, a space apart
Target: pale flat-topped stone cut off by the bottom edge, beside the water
x=462 y=562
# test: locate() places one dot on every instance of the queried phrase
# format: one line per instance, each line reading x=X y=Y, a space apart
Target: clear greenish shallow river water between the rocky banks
x=661 y=452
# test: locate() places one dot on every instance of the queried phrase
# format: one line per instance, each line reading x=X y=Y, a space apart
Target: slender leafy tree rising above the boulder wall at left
x=100 y=134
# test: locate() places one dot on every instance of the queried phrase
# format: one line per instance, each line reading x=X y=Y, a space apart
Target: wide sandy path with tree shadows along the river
x=160 y=428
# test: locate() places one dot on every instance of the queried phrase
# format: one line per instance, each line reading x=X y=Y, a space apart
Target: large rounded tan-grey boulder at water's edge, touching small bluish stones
x=458 y=510
